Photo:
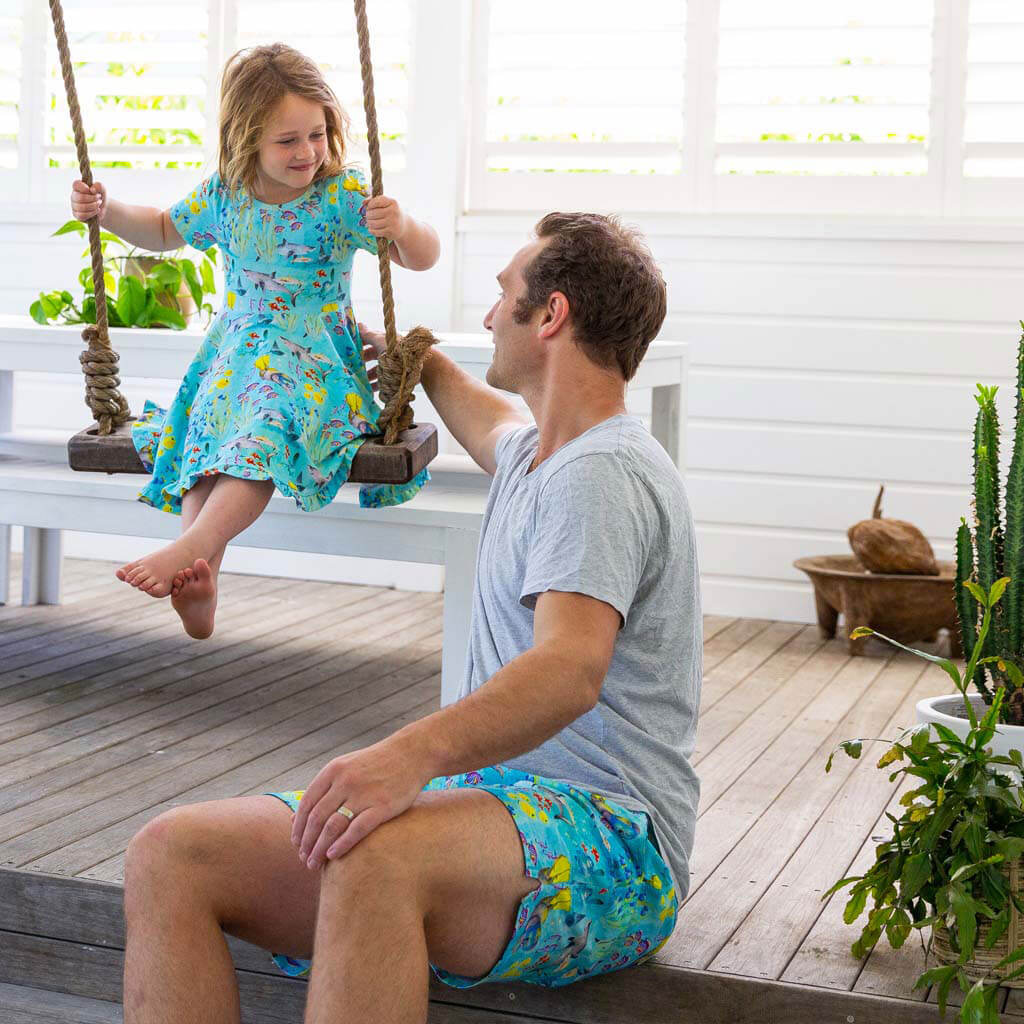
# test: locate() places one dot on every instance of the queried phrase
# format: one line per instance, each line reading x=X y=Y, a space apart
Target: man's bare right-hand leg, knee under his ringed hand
x=443 y=882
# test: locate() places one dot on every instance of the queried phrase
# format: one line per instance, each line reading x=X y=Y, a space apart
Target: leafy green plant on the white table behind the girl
x=143 y=290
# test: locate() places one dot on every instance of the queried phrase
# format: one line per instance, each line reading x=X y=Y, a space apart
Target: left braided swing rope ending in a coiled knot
x=100 y=362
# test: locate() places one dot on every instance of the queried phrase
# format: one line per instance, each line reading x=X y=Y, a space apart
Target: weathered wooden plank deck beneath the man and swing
x=108 y=717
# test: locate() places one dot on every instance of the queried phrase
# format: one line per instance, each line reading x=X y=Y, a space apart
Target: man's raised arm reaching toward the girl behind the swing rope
x=477 y=414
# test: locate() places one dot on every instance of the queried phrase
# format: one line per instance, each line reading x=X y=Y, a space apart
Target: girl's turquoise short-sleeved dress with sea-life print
x=278 y=391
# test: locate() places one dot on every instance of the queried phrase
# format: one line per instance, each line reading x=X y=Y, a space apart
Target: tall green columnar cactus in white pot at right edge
x=994 y=547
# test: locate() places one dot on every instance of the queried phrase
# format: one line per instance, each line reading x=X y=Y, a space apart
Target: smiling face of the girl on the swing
x=292 y=150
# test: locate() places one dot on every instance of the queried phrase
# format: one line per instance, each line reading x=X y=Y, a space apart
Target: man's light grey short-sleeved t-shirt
x=607 y=517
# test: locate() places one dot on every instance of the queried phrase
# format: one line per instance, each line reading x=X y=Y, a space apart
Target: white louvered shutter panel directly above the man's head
x=579 y=101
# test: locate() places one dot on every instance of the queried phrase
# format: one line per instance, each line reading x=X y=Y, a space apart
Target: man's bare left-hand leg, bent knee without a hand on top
x=193 y=872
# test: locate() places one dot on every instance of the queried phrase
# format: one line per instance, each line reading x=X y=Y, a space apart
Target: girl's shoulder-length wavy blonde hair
x=255 y=80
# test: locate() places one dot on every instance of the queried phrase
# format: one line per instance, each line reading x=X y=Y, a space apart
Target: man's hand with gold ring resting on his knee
x=377 y=784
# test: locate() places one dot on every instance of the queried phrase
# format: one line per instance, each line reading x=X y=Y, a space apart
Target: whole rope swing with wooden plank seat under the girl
x=405 y=450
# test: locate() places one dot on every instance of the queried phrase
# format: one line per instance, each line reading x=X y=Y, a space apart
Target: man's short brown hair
x=616 y=292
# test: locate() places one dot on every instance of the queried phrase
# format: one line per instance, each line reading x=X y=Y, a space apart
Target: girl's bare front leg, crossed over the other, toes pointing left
x=231 y=507
